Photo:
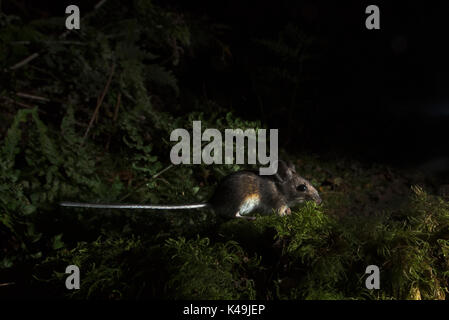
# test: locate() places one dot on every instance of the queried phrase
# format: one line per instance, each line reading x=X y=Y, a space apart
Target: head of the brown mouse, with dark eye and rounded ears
x=294 y=187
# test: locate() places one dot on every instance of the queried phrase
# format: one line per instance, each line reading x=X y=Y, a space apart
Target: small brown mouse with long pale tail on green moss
x=242 y=193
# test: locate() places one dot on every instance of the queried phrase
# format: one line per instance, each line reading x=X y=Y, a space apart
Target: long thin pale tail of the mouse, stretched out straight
x=133 y=206
